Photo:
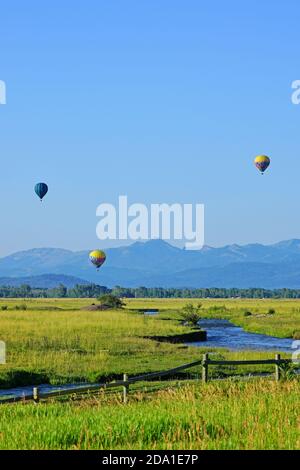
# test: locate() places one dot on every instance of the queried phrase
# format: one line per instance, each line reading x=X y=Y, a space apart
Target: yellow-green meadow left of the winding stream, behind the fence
x=68 y=346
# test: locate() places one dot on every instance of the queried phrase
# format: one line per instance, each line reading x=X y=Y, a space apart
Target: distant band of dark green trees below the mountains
x=95 y=291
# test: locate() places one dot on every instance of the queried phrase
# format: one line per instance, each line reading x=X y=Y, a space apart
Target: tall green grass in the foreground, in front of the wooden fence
x=230 y=415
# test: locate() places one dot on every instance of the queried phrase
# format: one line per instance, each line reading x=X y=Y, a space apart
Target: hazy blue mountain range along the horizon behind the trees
x=158 y=264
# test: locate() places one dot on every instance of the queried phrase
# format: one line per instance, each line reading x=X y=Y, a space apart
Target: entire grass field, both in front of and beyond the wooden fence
x=55 y=341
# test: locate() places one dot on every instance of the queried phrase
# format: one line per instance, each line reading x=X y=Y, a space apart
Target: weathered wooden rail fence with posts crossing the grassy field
x=205 y=363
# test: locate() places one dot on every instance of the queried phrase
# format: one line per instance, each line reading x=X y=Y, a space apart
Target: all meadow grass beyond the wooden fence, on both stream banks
x=54 y=341
